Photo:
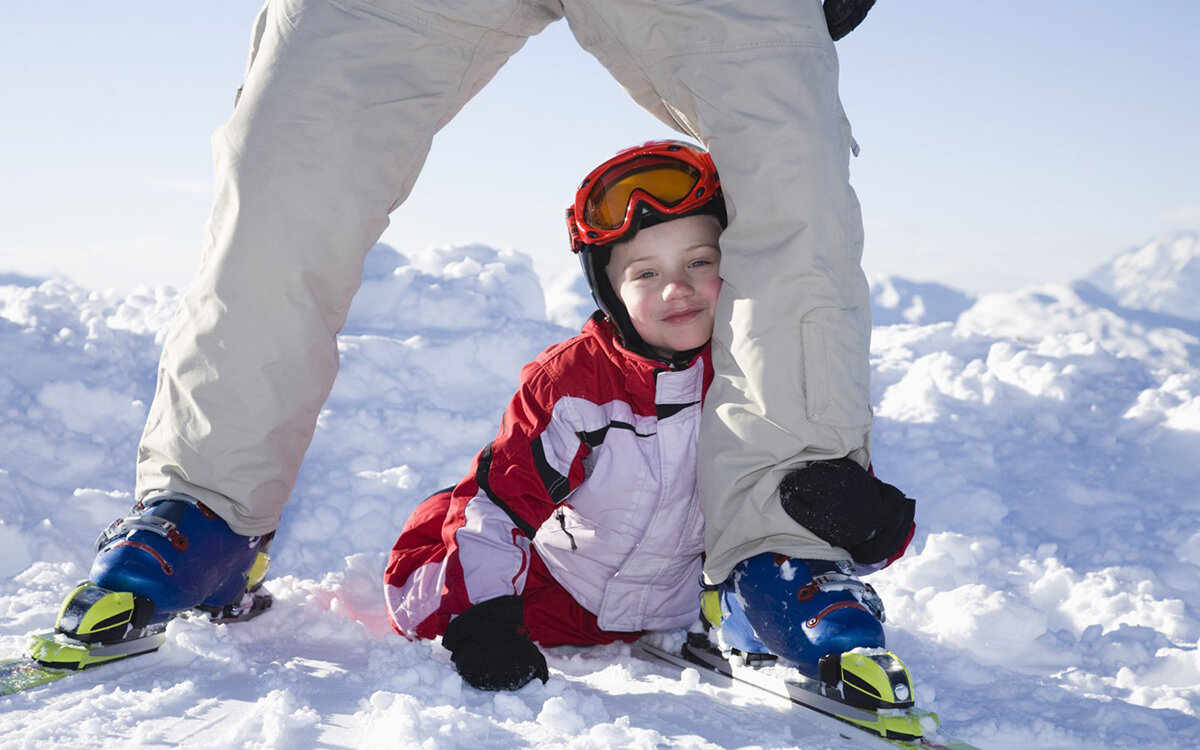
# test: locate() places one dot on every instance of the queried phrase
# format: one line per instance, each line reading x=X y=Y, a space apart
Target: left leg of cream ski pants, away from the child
x=341 y=101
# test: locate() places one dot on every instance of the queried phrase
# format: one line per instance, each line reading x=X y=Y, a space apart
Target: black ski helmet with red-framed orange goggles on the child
x=639 y=188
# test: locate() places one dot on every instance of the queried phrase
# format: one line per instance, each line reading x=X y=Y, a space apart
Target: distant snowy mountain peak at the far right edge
x=1161 y=277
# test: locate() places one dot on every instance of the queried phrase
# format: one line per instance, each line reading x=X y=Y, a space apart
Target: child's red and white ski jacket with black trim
x=596 y=466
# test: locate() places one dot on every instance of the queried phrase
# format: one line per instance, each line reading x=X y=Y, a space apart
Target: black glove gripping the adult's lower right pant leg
x=843 y=505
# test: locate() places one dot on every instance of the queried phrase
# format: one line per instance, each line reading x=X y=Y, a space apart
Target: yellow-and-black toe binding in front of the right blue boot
x=880 y=683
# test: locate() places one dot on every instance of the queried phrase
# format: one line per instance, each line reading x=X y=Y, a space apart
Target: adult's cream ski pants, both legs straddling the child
x=340 y=104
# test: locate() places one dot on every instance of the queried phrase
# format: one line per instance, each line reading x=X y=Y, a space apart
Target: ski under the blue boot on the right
x=807 y=695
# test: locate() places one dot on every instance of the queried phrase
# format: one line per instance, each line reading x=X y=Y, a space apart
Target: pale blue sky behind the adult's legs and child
x=1003 y=143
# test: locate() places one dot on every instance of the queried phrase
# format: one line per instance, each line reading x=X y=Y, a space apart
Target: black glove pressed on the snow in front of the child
x=491 y=649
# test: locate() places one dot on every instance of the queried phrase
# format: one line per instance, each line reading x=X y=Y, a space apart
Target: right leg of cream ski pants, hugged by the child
x=758 y=85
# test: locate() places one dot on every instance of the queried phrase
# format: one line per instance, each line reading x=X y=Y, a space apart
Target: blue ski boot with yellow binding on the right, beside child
x=820 y=619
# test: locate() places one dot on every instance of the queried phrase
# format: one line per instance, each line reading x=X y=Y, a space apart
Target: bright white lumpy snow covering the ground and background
x=1052 y=437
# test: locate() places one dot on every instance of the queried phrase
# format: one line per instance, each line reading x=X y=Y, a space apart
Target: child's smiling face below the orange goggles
x=668 y=277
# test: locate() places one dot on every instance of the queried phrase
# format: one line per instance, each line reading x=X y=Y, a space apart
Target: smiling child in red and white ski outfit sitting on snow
x=579 y=524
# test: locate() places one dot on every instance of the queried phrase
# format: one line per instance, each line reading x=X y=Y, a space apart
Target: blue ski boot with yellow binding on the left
x=169 y=556
